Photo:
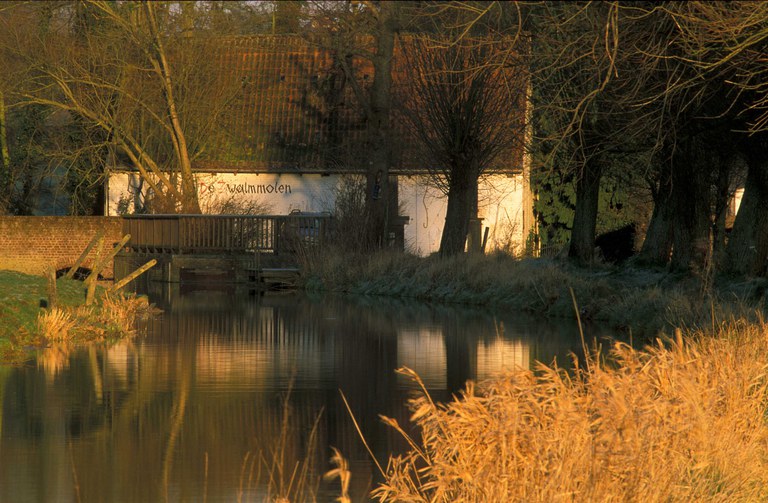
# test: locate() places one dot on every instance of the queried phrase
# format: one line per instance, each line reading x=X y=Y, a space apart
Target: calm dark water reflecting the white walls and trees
x=185 y=412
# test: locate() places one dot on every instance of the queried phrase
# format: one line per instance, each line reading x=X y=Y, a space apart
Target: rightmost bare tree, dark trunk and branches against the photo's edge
x=728 y=42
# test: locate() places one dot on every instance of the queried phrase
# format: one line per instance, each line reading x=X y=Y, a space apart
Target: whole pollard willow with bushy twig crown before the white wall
x=465 y=115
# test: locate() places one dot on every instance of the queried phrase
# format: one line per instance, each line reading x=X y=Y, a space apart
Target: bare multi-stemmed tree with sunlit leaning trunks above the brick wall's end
x=133 y=74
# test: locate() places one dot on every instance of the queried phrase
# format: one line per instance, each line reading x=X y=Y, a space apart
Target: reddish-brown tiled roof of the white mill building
x=292 y=112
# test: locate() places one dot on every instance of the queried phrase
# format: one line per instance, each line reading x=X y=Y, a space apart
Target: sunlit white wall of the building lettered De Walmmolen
x=502 y=202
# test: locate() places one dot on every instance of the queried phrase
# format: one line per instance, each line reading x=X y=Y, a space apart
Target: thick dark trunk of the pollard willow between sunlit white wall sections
x=458 y=212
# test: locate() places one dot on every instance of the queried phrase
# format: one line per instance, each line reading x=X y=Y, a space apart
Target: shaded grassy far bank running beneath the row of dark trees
x=644 y=300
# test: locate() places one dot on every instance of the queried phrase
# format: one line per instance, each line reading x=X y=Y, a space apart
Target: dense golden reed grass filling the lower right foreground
x=685 y=421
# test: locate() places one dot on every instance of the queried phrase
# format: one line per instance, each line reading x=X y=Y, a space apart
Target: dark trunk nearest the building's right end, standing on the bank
x=582 y=246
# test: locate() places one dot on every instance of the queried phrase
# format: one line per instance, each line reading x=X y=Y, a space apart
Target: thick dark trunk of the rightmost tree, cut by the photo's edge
x=747 y=250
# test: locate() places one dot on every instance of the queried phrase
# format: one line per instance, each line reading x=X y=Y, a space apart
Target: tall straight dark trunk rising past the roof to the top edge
x=377 y=175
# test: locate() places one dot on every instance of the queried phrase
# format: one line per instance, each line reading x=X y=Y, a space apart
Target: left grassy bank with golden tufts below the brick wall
x=24 y=325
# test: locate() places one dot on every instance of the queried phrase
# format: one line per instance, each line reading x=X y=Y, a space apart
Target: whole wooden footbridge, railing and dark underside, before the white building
x=261 y=249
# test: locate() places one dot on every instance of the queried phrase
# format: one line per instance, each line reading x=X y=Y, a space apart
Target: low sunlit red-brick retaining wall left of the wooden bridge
x=32 y=244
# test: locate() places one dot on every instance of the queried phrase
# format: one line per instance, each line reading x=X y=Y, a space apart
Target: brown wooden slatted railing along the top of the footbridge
x=225 y=234
